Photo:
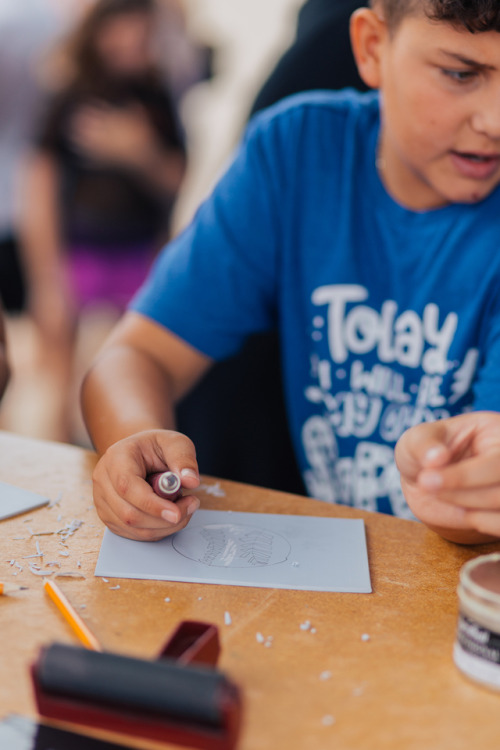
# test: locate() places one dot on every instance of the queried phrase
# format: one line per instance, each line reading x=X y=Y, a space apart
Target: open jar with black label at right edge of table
x=477 y=647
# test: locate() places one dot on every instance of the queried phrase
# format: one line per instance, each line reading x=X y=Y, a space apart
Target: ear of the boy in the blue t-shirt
x=368 y=33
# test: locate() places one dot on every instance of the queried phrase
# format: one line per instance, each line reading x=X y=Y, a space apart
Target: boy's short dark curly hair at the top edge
x=475 y=15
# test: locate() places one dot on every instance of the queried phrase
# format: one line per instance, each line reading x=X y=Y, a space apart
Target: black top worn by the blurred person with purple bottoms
x=109 y=205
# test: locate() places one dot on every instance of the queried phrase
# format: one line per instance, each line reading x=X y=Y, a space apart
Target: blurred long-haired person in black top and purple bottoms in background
x=100 y=184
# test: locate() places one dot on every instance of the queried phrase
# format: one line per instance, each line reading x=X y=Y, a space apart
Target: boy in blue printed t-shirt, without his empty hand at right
x=368 y=232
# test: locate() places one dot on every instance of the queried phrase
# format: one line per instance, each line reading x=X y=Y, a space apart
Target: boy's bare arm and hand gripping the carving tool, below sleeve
x=127 y=400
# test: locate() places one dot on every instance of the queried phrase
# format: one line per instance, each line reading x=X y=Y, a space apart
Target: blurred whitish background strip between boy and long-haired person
x=249 y=36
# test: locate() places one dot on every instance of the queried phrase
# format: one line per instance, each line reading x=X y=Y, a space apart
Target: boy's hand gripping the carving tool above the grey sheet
x=125 y=501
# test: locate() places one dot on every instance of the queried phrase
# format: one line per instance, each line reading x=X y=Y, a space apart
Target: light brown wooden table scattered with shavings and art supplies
x=398 y=690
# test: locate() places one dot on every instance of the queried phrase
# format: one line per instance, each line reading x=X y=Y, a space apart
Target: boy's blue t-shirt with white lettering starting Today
x=388 y=317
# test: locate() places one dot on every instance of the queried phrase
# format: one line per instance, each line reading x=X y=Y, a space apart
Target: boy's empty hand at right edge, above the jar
x=450 y=475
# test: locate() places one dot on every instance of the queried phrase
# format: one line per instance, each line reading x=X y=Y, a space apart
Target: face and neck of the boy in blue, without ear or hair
x=440 y=138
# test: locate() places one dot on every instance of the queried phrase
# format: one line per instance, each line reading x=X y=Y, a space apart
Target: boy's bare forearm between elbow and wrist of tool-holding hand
x=125 y=392
